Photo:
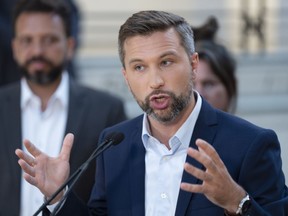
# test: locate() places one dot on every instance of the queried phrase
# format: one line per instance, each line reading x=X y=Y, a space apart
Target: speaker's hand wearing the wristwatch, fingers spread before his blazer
x=217 y=184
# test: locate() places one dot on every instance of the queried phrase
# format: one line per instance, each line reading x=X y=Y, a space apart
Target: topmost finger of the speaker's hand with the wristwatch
x=210 y=151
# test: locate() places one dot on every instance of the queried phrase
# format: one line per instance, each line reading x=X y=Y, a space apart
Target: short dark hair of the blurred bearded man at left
x=58 y=7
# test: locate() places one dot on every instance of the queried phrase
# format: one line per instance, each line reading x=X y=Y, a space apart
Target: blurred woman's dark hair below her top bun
x=223 y=65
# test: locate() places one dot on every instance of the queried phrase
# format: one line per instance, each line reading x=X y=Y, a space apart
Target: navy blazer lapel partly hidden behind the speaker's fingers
x=205 y=129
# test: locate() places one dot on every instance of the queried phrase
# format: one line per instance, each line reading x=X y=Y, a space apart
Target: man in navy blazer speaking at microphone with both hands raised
x=182 y=157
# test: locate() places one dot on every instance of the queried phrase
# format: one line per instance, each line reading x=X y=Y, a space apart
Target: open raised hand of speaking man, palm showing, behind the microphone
x=44 y=172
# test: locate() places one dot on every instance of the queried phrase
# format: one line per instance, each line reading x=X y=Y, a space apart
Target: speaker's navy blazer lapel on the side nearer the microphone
x=137 y=171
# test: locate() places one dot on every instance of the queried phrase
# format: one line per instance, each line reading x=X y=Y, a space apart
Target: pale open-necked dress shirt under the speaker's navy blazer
x=164 y=167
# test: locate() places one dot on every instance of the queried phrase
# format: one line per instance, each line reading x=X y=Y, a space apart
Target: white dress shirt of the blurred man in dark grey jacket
x=45 y=129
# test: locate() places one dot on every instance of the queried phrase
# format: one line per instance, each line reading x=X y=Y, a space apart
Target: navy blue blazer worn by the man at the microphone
x=250 y=153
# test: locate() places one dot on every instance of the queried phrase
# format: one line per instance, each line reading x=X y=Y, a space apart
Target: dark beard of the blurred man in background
x=42 y=77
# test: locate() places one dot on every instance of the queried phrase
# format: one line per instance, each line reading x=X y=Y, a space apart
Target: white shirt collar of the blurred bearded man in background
x=60 y=94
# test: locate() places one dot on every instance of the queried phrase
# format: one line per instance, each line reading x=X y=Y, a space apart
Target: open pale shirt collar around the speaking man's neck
x=184 y=133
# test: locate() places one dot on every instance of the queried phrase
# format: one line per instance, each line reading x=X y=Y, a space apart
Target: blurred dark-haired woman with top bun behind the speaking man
x=216 y=79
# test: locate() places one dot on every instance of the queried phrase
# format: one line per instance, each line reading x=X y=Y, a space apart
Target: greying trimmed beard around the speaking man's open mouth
x=179 y=103
